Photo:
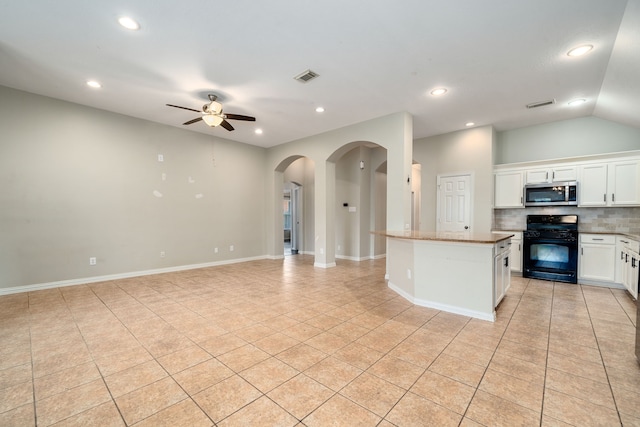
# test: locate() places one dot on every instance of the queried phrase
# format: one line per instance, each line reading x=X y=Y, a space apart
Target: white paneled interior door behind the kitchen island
x=454 y=203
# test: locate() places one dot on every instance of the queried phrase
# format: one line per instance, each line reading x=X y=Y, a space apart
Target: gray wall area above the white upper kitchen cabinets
x=567 y=138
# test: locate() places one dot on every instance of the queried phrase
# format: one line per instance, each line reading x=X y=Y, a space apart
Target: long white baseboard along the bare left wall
x=94 y=279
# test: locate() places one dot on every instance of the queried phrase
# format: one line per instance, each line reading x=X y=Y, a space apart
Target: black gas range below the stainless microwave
x=550 y=248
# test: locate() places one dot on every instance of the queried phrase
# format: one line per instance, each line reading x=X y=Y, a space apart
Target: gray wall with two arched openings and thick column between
x=393 y=132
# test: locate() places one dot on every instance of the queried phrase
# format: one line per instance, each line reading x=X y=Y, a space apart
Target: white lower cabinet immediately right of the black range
x=597 y=258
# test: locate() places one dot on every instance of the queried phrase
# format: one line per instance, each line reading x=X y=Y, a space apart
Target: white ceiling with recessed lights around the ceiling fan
x=374 y=58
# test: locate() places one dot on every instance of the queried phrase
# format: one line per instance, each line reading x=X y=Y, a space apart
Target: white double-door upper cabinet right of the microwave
x=610 y=184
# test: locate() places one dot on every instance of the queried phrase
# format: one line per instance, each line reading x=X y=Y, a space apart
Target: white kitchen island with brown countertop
x=463 y=273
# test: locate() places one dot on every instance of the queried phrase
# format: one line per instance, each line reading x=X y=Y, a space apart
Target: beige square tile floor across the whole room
x=283 y=343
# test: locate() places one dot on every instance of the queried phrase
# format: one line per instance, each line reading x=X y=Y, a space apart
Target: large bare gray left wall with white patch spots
x=77 y=182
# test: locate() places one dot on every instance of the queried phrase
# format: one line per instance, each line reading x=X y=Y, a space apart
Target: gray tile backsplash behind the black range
x=613 y=220
